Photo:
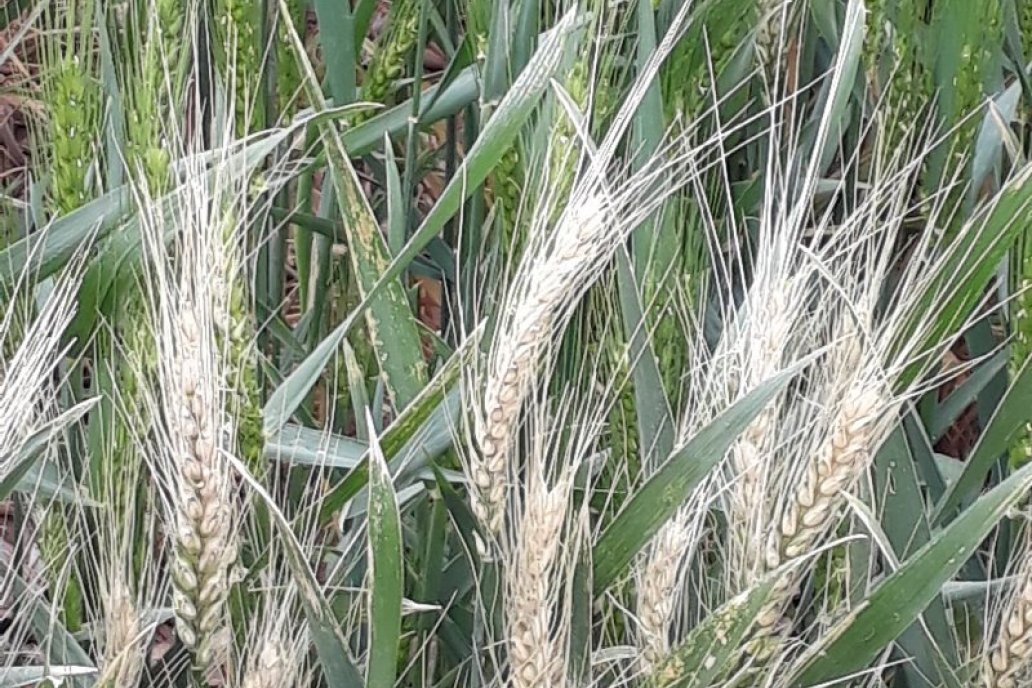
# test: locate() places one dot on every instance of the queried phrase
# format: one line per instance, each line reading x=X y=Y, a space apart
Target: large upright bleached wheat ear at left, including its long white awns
x=195 y=436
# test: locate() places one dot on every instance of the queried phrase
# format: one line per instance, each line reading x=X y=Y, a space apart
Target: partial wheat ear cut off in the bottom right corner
x=1009 y=663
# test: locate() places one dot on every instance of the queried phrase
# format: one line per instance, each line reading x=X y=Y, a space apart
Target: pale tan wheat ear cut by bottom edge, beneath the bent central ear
x=536 y=658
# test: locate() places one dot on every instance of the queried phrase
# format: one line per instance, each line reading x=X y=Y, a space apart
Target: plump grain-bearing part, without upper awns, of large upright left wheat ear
x=206 y=546
